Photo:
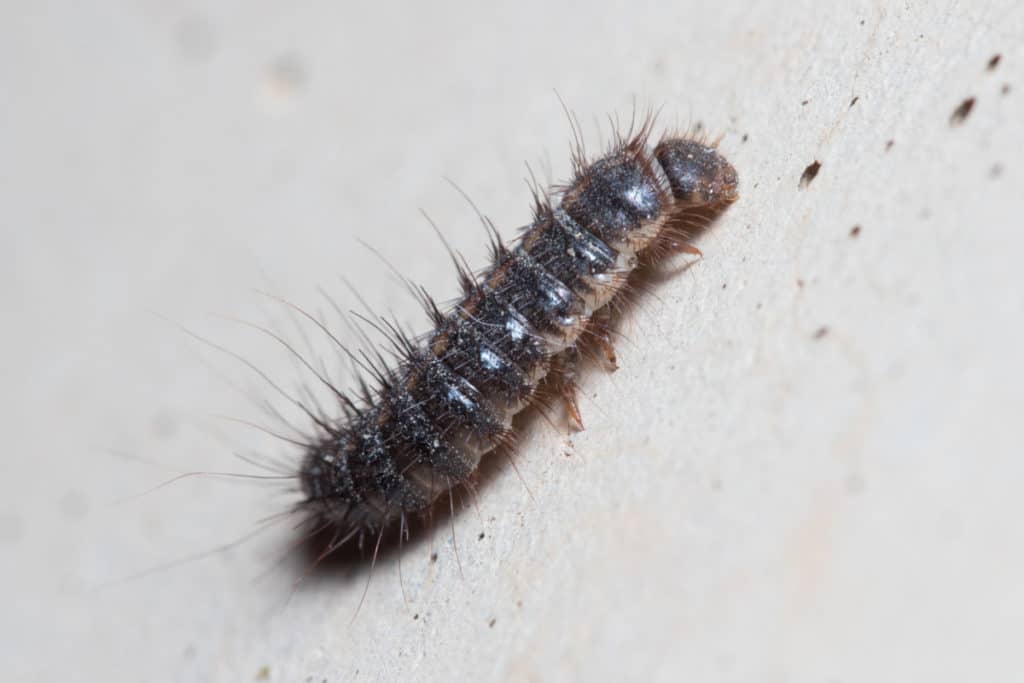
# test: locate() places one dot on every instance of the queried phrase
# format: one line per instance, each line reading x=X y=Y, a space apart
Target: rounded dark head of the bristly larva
x=698 y=174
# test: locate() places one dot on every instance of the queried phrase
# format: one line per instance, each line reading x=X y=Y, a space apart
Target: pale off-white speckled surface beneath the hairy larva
x=752 y=500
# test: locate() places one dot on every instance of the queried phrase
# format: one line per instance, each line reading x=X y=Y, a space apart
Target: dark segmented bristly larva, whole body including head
x=428 y=425
